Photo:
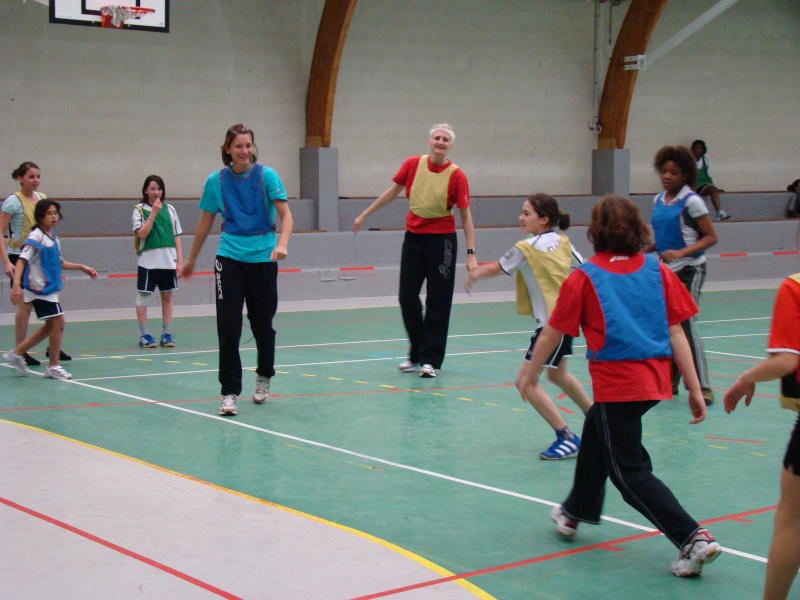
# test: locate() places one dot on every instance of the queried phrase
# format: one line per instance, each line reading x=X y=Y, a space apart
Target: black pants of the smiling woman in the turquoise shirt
x=236 y=284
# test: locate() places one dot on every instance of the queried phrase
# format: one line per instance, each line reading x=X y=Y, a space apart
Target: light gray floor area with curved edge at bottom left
x=214 y=539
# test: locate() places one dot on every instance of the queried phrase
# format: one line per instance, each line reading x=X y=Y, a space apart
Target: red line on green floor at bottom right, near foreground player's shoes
x=610 y=545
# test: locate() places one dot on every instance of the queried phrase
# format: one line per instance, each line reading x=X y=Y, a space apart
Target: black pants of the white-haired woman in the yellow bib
x=431 y=258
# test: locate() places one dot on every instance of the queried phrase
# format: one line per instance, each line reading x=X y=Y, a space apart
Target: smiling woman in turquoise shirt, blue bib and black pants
x=248 y=196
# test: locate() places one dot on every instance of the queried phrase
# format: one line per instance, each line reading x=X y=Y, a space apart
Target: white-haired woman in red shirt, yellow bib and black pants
x=434 y=186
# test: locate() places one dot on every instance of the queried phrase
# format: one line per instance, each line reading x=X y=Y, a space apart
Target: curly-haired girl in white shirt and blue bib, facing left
x=683 y=231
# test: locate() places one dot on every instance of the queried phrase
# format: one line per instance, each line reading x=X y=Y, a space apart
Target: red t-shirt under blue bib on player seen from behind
x=579 y=308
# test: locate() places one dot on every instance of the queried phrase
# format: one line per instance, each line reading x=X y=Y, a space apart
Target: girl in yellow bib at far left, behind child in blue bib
x=17 y=216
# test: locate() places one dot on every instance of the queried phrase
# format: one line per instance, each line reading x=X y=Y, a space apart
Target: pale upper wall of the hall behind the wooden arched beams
x=98 y=110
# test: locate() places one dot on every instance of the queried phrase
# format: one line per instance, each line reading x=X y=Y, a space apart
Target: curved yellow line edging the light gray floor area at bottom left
x=479 y=593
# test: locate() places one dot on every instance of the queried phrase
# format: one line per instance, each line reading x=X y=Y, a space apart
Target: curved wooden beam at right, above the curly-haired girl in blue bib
x=615 y=103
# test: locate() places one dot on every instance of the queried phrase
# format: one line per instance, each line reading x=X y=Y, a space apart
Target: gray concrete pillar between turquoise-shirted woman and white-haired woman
x=319 y=181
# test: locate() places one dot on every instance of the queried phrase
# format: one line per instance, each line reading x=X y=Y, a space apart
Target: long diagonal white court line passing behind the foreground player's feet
x=426 y=472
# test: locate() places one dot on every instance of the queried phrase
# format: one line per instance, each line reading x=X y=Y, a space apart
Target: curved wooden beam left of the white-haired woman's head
x=333 y=26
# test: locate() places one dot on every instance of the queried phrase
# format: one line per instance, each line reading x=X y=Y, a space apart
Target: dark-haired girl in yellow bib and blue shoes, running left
x=542 y=263
